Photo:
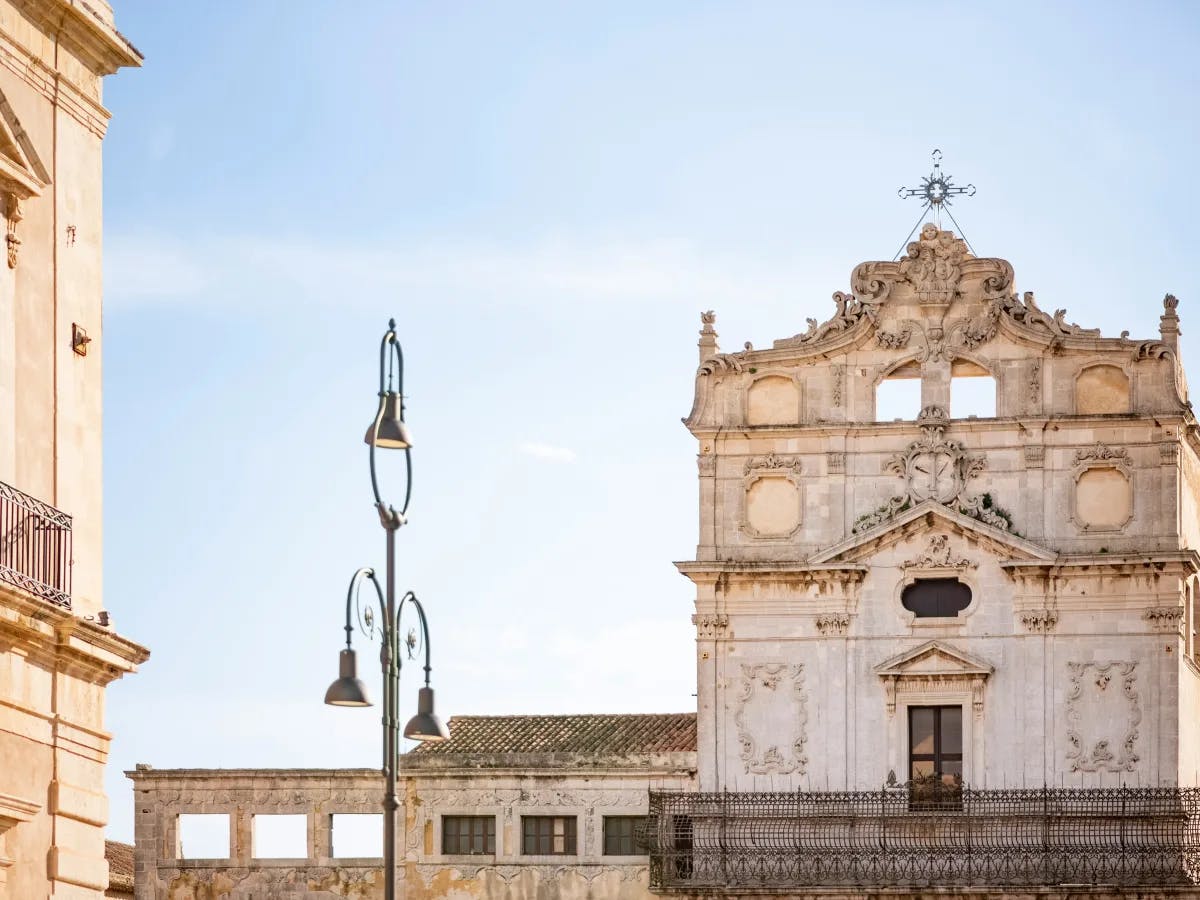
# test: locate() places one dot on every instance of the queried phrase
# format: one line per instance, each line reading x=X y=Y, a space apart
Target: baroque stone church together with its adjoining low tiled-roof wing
x=939 y=647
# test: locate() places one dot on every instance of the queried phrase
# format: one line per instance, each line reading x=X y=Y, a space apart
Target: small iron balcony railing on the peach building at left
x=35 y=547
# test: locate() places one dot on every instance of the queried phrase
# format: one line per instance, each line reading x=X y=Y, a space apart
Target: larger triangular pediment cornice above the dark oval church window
x=927 y=518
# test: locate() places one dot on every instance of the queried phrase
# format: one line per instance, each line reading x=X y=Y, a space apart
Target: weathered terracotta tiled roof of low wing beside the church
x=597 y=735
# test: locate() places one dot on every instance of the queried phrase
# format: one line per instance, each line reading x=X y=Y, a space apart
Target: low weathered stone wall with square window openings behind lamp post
x=590 y=794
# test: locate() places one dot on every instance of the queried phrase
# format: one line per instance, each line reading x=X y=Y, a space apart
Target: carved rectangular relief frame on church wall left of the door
x=772 y=718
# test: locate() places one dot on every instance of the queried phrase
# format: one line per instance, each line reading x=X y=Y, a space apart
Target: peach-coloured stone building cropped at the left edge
x=58 y=649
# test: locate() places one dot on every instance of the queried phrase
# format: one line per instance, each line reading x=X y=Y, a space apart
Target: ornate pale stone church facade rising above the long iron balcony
x=1069 y=517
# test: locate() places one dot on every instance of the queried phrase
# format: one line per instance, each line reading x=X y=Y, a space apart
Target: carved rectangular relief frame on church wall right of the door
x=1103 y=713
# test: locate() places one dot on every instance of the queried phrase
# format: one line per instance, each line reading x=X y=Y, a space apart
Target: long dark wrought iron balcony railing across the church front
x=770 y=843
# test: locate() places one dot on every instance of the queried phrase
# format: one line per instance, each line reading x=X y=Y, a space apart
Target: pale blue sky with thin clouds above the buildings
x=545 y=196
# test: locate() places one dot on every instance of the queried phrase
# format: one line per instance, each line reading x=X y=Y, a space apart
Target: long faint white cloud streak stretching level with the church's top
x=254 y=273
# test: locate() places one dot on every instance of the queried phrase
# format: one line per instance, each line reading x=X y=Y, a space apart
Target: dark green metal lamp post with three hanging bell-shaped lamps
x=388 y=431
